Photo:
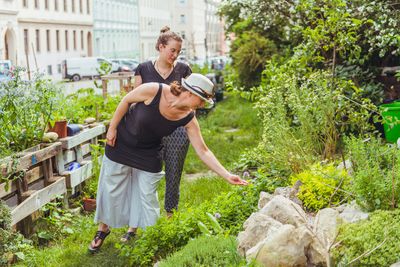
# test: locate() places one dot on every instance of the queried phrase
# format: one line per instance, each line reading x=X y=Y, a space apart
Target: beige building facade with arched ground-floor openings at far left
x=39 y=34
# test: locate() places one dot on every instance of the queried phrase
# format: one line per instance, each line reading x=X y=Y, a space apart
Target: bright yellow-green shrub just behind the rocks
x=322 y=186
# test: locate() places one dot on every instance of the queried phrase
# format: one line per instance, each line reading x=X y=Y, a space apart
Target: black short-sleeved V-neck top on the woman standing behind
x=148 y=73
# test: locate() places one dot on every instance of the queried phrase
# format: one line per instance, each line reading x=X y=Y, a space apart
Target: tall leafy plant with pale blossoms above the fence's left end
x=26 y=107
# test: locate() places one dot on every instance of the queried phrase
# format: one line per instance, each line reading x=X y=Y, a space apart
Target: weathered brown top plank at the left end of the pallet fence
x=30 y=159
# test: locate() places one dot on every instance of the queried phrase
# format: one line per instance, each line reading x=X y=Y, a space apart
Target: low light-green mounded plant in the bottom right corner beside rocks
x=380 y=235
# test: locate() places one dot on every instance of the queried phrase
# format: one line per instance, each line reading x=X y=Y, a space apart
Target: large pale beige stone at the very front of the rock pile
x=284 y=248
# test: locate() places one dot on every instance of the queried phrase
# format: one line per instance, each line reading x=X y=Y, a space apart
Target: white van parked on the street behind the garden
x=82 y=67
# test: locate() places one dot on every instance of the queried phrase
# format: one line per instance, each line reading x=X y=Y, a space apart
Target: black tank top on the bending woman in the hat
x=139 y=135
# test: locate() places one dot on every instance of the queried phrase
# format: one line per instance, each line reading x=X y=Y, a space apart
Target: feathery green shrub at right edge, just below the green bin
x=376 y=166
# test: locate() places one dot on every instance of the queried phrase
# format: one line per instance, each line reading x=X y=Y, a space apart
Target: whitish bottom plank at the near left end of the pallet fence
x=38 y=200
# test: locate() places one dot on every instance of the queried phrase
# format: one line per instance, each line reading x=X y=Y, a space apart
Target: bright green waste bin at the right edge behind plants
x=391 y=120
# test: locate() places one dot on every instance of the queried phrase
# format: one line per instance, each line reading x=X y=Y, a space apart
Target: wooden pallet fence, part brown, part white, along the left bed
x=42 y=174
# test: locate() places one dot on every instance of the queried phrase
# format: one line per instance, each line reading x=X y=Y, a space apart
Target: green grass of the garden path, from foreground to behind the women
x=232 y=113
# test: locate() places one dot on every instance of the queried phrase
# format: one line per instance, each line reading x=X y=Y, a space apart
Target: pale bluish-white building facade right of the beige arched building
x=116 y=28
